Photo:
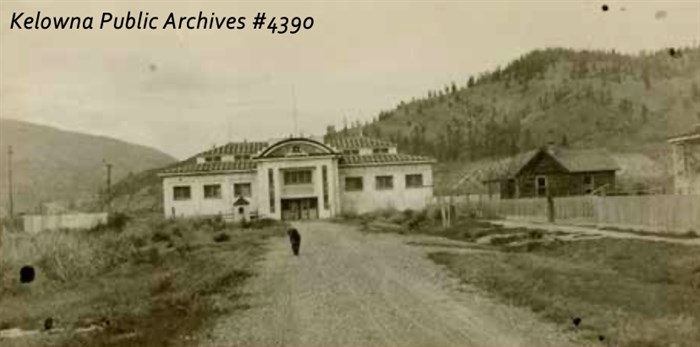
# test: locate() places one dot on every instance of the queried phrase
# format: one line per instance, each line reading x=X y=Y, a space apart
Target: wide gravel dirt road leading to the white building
x=353 y=289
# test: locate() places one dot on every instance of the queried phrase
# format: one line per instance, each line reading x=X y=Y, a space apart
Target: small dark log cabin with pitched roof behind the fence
x=556 y=172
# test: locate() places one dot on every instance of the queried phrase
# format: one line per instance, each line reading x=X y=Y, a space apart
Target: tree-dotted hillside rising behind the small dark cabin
x=575 y=98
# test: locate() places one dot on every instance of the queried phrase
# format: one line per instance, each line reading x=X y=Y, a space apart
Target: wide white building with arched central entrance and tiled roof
x=297 y=178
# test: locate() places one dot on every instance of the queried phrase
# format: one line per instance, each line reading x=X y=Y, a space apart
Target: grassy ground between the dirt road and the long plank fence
x=626 y=292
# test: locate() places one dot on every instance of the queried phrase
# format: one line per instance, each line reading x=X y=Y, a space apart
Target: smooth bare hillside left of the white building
x=51 y=165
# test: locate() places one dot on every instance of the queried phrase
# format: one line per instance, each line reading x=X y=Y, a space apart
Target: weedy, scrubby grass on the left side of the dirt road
x=147 y=282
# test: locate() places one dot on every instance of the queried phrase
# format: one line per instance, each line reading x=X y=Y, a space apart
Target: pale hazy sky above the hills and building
x=182 y=91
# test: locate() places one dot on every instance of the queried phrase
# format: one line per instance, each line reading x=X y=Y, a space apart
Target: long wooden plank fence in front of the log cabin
x=660 y=213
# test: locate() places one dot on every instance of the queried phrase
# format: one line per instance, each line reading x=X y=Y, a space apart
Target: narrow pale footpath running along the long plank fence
x=594 y=231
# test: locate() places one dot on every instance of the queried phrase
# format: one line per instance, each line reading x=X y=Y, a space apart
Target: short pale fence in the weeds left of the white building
x=39 y=223
